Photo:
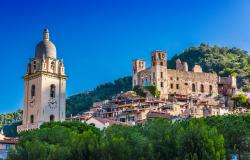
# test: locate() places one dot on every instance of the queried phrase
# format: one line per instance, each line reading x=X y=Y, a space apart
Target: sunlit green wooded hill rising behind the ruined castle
x=222 y=60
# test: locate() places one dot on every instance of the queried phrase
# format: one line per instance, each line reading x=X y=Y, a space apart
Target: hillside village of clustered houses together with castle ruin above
x=167 y=93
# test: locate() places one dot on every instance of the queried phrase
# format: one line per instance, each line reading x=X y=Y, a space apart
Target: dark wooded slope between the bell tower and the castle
x=82 y=102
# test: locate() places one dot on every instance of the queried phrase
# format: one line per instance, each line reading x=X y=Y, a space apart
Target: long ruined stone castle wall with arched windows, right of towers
x=181 y=82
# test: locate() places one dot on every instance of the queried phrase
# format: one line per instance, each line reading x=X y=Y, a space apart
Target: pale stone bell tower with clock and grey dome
x=44 y=87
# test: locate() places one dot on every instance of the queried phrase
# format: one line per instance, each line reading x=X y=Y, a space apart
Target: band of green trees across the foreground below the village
x=210 y=138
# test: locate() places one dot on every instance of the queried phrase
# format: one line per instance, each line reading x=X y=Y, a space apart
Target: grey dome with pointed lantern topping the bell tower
x=45 y=47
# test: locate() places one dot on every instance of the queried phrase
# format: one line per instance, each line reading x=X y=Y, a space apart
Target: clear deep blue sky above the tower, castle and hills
x=99 y=39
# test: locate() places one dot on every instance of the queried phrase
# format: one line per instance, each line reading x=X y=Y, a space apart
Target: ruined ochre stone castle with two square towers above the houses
x=180 y=81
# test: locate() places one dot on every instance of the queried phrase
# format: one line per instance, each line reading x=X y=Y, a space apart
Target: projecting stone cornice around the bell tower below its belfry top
x=41 y=73
